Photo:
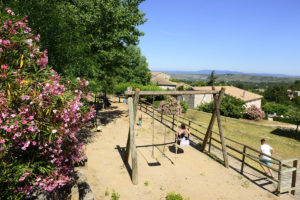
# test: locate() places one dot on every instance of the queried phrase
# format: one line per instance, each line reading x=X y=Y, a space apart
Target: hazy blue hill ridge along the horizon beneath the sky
x=220 y=72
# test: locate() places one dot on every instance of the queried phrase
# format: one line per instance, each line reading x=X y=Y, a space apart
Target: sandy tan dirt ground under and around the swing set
x=190 y=173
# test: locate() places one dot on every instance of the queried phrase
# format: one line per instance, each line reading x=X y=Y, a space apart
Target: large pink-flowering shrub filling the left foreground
x=40 y=114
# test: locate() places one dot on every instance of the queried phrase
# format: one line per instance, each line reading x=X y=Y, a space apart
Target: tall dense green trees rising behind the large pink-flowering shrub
x=95 y=39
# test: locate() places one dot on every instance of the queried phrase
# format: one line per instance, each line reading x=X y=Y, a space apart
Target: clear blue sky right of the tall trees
x=261 y=36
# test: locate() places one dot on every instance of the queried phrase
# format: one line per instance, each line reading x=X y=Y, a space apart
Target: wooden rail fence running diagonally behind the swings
x=286 y=170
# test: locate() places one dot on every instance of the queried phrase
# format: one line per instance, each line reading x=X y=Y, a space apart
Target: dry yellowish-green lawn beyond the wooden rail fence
x=249 y=133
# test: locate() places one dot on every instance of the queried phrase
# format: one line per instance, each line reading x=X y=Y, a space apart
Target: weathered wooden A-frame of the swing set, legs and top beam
x=133 y=99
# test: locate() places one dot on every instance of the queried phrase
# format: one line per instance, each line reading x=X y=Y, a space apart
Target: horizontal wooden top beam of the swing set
x=143 y=93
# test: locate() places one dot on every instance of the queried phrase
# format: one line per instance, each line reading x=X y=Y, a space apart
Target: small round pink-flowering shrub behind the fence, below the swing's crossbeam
x=170 y=107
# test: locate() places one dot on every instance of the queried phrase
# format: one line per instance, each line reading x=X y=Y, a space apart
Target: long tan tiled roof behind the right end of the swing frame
x=234 y=91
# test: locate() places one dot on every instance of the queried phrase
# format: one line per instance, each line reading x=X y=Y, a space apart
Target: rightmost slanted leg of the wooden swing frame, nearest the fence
x=217 y=105
